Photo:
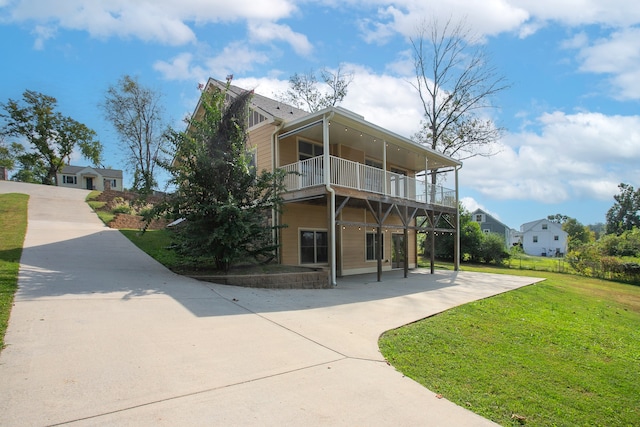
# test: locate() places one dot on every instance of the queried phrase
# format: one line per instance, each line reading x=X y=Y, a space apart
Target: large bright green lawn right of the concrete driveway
x=564 y=352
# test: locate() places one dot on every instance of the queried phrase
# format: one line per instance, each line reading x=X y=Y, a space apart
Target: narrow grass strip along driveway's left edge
x=13 y=227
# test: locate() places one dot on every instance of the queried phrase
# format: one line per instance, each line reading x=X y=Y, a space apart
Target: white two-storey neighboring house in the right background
x=543 y=238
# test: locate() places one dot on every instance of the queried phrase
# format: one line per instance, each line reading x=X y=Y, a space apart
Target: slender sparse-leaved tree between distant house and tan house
x=136 y=113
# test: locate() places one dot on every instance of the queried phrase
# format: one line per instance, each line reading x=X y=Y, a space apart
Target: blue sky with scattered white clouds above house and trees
x=571 y=112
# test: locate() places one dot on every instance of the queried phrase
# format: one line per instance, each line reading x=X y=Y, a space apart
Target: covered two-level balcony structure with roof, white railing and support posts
x=336 y=158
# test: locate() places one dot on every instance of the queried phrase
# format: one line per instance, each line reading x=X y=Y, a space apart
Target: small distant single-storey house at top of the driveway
x=89 y=178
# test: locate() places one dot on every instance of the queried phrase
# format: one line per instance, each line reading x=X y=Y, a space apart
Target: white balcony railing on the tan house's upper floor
x=346 y=173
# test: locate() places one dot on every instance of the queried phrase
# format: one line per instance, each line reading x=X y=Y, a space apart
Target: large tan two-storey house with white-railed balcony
x=356 y=193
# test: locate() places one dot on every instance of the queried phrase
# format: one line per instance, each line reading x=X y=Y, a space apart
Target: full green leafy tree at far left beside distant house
x=52 y=137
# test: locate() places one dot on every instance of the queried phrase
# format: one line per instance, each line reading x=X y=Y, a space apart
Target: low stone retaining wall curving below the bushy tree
x=306 y=280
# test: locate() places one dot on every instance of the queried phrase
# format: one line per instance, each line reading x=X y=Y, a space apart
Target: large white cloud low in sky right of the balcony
x=583 y=155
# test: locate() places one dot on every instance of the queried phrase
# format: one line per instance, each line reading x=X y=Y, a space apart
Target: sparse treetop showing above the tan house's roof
x=309 y=94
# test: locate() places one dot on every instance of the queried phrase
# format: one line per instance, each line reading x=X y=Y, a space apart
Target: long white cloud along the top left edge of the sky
x=163 y=21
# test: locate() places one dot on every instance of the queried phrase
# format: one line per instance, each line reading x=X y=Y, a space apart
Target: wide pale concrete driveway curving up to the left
x=101 y=334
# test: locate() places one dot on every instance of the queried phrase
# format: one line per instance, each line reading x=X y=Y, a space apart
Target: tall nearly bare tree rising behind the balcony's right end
x=456 y=83
